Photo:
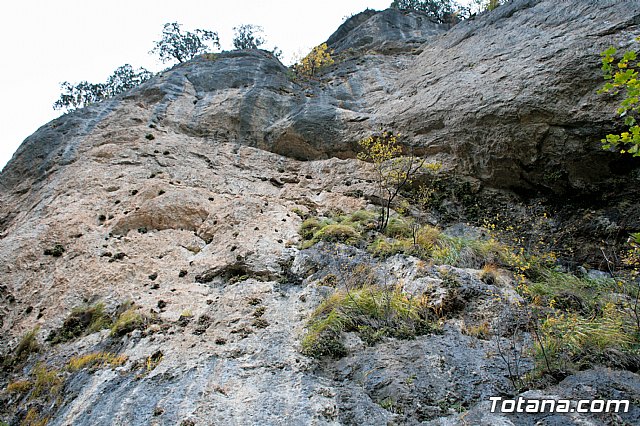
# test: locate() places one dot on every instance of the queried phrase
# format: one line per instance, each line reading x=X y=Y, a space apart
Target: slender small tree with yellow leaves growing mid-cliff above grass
x=393 y=170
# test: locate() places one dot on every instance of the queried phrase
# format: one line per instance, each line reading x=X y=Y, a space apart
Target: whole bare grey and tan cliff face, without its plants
x=181 y=196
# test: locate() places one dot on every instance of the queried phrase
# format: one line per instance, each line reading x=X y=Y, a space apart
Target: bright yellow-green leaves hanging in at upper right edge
x=622 y=75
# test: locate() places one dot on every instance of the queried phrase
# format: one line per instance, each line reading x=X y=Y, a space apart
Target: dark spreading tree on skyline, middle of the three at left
x=182 y=46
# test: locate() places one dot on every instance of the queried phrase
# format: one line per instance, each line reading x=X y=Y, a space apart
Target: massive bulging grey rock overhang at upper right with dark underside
x=511 y=95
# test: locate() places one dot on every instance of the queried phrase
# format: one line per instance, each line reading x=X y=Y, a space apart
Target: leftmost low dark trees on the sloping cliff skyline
x=85 y=93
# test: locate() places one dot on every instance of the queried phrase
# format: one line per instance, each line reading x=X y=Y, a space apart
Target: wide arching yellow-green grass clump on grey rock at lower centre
x=373 y=312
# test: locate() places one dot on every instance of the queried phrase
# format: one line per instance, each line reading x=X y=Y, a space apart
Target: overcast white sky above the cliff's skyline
x=45 y=42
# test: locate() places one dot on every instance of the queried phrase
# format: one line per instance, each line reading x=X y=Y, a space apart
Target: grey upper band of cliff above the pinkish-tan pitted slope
x=508 y=97
